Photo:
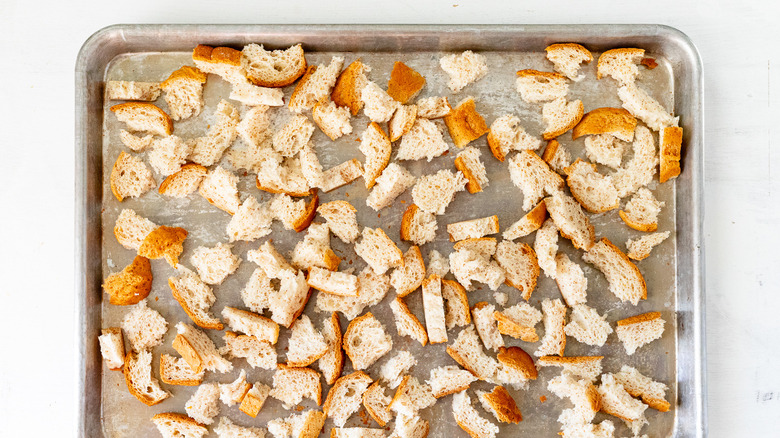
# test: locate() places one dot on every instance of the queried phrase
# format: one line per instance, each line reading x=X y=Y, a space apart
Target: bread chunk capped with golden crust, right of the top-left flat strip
x=183 y=92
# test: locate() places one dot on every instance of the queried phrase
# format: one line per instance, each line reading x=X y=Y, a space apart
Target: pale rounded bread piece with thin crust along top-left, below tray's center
x=365 y=341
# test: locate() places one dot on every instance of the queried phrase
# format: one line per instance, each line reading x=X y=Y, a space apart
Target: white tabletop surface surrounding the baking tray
x=39 y=42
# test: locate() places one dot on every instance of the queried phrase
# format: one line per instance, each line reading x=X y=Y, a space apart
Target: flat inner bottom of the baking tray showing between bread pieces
x=122 y=415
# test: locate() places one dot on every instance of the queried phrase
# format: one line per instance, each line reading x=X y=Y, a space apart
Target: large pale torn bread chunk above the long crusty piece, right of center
x=534 y=177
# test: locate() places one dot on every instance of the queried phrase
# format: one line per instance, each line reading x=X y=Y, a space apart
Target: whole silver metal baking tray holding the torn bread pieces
x=675 y=274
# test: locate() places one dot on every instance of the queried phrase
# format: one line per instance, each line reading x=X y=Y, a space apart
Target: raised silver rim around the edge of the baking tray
x=92 y=43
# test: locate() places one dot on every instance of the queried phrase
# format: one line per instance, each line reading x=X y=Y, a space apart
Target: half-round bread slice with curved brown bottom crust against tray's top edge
x=276 y=68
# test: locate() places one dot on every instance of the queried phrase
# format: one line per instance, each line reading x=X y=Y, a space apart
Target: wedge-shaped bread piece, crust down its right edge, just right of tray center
x=518 y=260
